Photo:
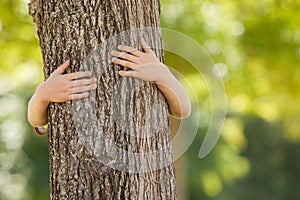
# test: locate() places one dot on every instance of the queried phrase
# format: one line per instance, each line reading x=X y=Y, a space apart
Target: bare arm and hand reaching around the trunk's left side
x=58 y=87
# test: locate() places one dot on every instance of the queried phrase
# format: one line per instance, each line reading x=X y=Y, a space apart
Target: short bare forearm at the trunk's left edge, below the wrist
x=37 y=111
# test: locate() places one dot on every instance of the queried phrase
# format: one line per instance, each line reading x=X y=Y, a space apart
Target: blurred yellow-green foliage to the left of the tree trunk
x=23 y=156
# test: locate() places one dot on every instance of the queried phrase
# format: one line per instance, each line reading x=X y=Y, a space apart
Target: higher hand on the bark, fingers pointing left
x=144 y=66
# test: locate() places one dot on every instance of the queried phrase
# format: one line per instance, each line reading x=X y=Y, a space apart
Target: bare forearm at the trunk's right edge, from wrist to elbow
x=174 y=92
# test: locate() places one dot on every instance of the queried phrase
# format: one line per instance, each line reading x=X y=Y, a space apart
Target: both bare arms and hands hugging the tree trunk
x=61 y=87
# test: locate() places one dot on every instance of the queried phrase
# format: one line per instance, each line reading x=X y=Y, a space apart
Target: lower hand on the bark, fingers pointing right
x=61 y=87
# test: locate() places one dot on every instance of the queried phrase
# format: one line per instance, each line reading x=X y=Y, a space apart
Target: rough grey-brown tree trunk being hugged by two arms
x=116 y=143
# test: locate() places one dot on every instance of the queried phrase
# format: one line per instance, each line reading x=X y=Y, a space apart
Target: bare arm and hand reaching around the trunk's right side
x=147 y=67
